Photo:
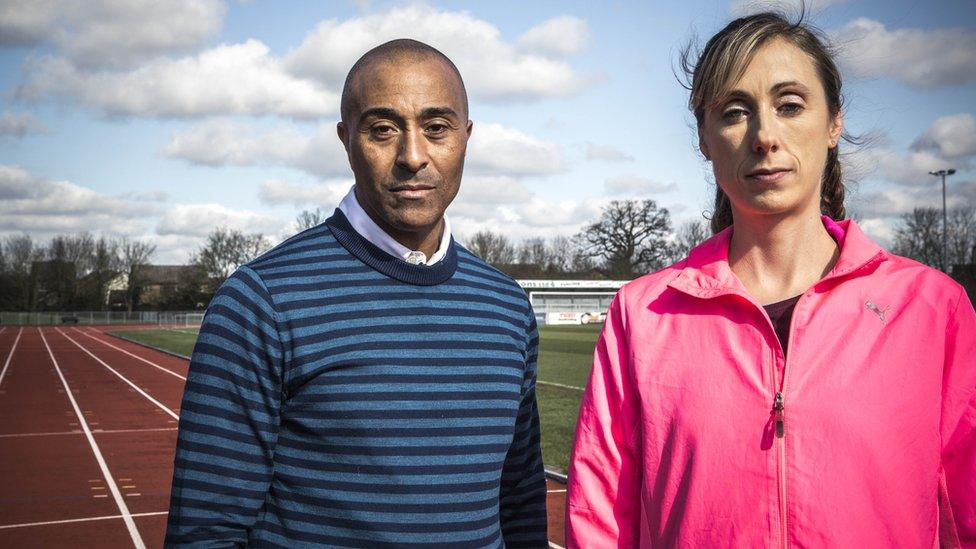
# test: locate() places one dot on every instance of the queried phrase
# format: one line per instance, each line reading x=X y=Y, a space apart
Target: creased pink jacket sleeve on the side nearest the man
x=604 y=474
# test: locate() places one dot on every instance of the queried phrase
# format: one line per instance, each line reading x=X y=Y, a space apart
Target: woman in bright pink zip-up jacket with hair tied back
x=789 y=382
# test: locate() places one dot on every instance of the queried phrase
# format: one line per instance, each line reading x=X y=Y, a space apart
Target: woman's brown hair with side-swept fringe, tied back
x=723 y=61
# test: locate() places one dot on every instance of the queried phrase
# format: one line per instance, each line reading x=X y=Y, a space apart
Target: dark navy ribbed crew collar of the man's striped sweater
x=394 y=267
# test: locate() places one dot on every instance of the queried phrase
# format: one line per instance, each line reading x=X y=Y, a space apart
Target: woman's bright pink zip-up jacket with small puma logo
x=681 y=441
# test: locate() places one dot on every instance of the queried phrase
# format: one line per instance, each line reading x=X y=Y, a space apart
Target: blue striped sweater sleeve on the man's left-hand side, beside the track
x=228 y=419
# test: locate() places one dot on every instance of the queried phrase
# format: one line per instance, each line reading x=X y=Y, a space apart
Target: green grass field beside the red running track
x=565 y=353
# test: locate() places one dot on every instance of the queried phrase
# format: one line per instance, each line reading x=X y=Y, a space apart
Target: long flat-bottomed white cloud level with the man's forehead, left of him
x=229 y=79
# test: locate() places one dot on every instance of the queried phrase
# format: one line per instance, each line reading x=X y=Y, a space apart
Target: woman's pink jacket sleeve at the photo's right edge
x=958 y=482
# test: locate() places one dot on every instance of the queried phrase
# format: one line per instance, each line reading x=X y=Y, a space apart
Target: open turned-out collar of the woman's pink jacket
x=706 y=272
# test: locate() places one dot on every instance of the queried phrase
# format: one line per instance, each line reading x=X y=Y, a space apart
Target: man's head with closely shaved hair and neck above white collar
x=405 y=128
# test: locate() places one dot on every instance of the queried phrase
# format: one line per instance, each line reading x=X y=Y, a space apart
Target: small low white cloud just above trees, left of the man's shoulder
x=200 y=219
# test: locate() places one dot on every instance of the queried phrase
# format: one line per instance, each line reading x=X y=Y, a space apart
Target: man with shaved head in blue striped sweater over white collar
x=369 y=382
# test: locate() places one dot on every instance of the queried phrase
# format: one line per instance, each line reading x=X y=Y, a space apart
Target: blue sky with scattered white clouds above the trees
x=160 y=121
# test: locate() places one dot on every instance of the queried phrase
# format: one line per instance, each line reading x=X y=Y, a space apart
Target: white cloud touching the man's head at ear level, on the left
x=226 y=143
